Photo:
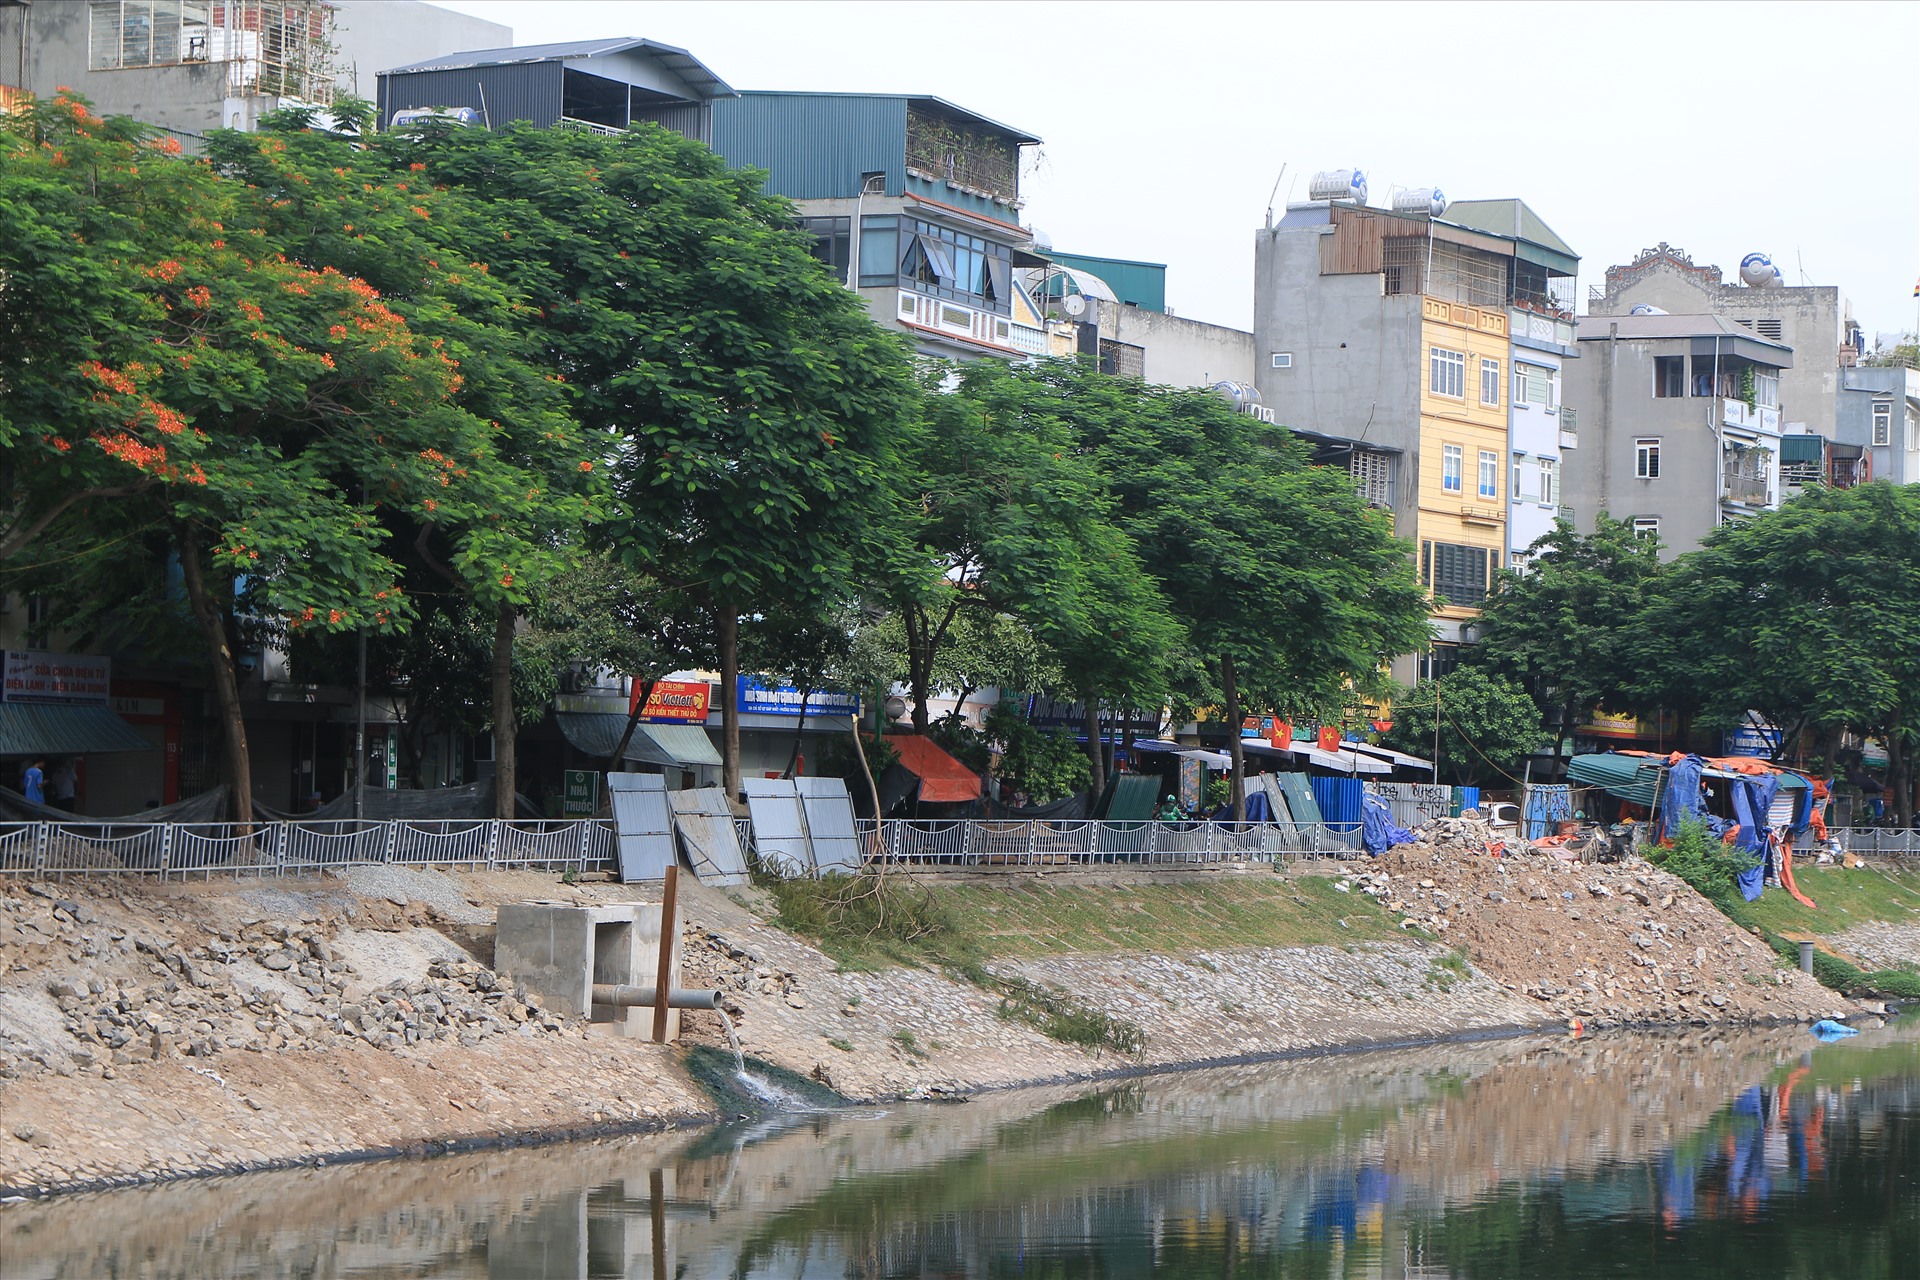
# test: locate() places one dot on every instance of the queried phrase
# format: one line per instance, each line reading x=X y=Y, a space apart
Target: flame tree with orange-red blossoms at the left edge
x=172 y=375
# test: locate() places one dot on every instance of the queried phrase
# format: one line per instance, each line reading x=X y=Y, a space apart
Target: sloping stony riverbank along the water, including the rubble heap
x=155 y=1030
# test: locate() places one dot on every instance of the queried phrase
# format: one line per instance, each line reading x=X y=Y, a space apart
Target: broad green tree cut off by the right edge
x=1810 y=615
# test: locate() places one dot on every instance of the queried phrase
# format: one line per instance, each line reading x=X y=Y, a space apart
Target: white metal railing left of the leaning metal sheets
x=293 y=847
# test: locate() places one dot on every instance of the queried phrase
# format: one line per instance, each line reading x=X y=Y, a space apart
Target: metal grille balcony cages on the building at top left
x=277 y=49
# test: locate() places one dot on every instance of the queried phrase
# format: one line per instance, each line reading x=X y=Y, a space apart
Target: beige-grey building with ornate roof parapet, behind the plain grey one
x=1815 y=321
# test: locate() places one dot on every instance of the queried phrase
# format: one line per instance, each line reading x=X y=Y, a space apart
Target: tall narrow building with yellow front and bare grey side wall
x=1387 y=341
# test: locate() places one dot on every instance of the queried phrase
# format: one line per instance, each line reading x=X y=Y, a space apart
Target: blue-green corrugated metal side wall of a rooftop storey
x=815 y=147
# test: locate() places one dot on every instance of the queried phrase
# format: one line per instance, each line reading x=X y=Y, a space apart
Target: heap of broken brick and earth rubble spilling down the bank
x=1598 y=943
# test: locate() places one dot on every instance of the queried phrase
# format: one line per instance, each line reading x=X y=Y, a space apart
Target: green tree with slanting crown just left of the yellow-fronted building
x=1289 y=590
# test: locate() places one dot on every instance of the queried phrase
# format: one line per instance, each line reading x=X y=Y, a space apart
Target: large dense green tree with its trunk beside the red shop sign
x=752 y=402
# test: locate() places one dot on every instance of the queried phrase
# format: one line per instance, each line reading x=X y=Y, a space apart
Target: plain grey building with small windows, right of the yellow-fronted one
x=1681 y=425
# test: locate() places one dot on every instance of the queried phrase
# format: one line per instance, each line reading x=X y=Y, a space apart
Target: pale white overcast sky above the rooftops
x=1716 y=128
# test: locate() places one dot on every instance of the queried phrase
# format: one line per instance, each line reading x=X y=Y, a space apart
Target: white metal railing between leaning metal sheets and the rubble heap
x=986 y=843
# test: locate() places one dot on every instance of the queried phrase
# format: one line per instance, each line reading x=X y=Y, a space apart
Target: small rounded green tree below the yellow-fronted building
x=1487 y=726
